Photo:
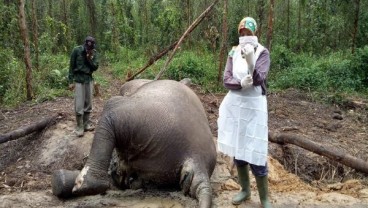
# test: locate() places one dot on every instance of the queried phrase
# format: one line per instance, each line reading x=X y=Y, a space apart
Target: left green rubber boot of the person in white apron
x=243 y=177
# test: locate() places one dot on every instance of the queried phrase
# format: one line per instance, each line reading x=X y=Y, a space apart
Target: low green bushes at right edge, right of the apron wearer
x=337 y=75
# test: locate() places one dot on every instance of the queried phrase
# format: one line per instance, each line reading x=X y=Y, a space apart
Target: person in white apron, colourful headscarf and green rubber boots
x=243 y=115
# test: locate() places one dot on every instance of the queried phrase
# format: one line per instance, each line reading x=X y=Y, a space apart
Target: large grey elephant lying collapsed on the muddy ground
x=159 y=134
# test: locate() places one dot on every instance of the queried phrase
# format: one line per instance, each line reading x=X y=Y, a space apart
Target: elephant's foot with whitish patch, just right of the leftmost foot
x=88 y=184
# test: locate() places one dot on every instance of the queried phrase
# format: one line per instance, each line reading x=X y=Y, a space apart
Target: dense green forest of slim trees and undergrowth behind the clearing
x=318 y=46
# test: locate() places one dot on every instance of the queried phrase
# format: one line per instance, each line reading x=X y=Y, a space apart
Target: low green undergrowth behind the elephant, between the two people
x=199 y=66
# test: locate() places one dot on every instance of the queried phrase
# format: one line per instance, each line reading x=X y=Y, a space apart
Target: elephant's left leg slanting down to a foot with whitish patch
x=93 y=178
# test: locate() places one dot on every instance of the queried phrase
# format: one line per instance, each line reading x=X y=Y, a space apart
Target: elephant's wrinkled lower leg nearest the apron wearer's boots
x=194 y=179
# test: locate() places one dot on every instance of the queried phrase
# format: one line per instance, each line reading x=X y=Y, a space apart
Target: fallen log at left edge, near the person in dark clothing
x=25 y=130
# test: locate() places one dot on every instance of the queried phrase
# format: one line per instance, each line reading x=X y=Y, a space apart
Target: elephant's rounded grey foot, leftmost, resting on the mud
x=62 y=182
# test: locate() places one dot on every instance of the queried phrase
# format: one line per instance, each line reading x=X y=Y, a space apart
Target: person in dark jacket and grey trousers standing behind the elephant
x=83 y=62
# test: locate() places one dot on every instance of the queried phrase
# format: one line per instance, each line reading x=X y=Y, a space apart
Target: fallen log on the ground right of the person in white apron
x=336 y=155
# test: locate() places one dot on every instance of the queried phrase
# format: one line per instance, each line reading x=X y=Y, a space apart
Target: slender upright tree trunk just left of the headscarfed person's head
x=223 y=43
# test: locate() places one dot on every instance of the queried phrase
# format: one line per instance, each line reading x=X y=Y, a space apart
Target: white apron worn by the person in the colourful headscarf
x=243 y=119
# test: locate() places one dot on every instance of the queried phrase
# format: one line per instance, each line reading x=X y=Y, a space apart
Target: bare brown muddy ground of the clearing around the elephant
x=297 y=178
